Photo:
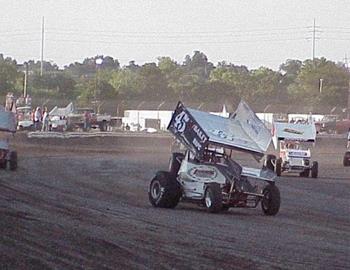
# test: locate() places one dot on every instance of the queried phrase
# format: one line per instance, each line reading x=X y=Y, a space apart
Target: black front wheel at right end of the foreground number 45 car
x=271 y=201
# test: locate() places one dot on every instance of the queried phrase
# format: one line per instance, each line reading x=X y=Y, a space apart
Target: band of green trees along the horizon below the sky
x=312 y=82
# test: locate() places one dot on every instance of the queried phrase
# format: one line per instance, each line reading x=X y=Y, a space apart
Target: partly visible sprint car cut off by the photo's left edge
x=8 y=158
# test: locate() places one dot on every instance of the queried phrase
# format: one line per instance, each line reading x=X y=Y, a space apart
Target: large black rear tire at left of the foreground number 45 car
x=164 y=190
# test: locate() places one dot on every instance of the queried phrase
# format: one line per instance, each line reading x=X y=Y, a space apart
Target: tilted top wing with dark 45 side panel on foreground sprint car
x=243 y=130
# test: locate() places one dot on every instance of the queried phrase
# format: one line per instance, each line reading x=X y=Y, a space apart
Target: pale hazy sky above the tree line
x=253 y=33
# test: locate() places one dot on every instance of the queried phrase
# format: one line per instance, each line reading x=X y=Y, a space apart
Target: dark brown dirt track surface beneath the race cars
x=83 y=205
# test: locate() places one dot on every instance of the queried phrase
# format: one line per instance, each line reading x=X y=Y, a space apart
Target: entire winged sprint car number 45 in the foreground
x=206 y=173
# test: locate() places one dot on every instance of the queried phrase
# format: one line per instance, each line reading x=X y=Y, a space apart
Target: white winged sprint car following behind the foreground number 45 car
x=293 y=141
